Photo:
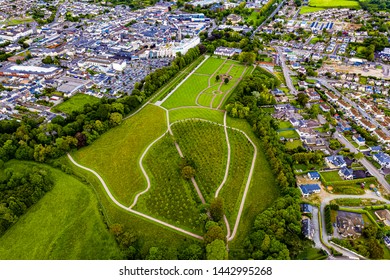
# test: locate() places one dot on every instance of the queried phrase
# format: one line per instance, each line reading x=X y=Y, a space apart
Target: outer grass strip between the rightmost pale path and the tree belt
x=262 y=191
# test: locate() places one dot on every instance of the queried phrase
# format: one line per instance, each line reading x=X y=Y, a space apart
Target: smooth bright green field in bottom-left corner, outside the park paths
x=64 y=224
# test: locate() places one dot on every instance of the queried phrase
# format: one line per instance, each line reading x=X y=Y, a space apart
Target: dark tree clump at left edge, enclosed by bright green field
x=19 y=190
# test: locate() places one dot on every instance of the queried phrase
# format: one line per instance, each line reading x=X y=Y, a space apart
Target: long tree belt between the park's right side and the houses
x=276 y=232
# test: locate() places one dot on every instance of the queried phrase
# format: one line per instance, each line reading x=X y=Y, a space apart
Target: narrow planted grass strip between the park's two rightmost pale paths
x=240 y=163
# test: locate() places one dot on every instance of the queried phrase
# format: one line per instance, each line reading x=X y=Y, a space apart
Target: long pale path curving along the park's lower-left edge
x=129 y=209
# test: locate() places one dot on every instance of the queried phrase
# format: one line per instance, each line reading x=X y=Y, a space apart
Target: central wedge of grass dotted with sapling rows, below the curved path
x=203 y=144
